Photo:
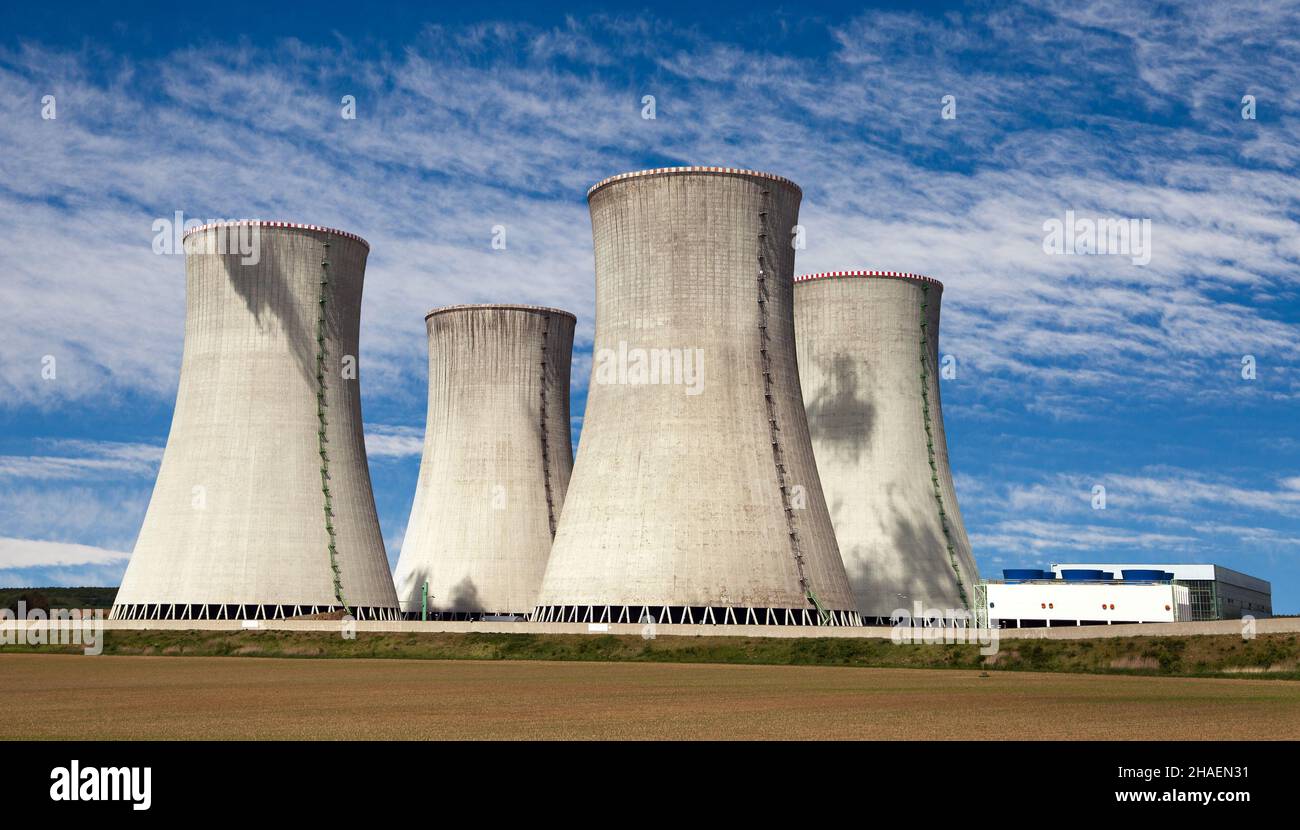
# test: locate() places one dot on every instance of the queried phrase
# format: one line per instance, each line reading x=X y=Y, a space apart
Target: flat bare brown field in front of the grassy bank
x=57 y=697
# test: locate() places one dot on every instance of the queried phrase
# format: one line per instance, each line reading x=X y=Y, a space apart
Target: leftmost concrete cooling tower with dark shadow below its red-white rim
x=263 y=504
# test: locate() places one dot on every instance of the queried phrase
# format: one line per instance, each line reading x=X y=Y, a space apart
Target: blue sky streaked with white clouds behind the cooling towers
x=1073 y=371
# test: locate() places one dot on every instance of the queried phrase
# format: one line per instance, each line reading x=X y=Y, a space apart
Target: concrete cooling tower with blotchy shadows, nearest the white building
x=869 y=361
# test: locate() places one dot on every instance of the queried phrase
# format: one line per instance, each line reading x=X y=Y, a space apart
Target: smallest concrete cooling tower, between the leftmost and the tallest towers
x=497 y=461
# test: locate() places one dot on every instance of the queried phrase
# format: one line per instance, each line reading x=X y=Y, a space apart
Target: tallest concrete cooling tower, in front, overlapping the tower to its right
x=695 y=496
